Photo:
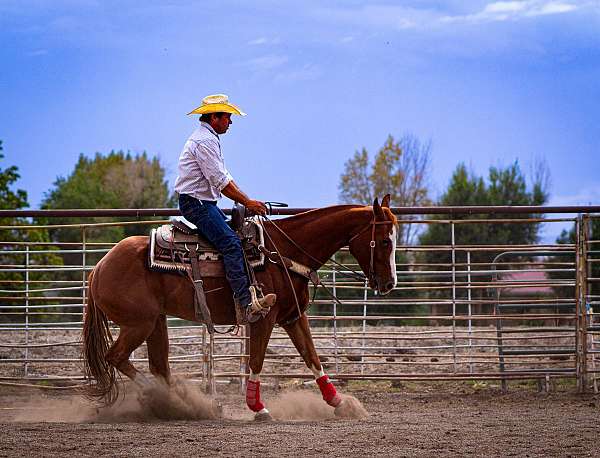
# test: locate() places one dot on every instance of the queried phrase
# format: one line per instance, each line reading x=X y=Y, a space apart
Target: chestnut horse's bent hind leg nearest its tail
x=130 y=338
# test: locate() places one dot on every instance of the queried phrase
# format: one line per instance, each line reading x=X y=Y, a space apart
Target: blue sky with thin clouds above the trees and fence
x=487 y=82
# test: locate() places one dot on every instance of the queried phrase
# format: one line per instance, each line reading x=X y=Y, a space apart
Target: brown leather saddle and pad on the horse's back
x=169 y=248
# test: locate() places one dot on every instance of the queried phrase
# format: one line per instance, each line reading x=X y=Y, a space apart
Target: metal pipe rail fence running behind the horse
x=460 y=311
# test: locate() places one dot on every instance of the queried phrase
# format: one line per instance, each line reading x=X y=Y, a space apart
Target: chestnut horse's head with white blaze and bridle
x=374 y=247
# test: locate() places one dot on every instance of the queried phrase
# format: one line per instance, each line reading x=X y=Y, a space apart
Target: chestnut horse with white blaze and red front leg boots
x=123 y=289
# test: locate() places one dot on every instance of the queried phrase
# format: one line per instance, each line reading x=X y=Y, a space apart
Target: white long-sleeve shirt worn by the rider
x=202 y=171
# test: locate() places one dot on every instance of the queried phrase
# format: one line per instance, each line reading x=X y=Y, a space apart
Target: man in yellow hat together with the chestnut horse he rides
x=123 y=288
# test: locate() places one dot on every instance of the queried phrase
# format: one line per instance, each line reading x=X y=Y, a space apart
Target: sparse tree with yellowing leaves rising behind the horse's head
x=400 y=168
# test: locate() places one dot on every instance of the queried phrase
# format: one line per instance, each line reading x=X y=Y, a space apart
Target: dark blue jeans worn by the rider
x=210 y=221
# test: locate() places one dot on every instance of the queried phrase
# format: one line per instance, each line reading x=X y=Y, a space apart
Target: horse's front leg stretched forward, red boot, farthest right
x=299 y=332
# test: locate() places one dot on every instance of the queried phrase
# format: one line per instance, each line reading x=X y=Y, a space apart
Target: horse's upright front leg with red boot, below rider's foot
x=260 y=333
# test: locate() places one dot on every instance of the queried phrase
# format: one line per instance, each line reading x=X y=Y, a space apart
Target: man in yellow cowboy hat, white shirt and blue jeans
x=202 y=179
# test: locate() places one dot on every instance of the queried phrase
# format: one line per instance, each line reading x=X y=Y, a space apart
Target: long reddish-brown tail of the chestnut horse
x=101 y=376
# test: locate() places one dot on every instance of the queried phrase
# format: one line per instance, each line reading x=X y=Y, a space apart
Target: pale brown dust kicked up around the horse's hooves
x=182 y=400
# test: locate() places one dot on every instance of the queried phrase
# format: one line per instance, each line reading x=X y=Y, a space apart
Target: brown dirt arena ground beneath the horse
x=406 y=420
